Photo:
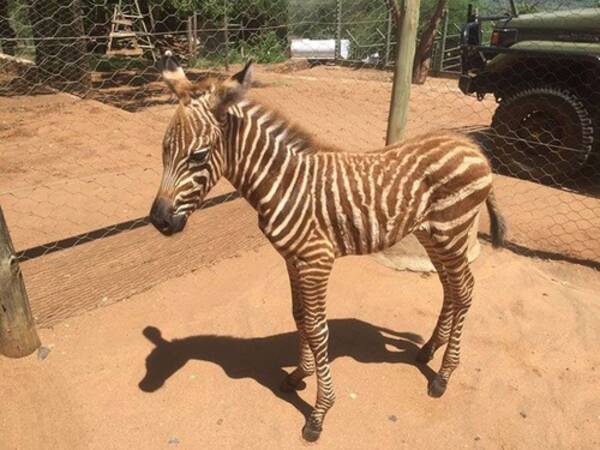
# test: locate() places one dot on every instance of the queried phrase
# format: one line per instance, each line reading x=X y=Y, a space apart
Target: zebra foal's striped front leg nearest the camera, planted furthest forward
x=313 y=275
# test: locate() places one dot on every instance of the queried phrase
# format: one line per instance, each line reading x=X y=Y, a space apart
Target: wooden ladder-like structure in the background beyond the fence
x=128 y=34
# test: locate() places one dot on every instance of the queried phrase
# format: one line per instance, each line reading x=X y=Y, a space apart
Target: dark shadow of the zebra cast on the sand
x=263 y=358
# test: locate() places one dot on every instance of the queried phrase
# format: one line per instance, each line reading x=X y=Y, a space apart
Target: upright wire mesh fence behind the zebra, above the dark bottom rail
x=83 y=109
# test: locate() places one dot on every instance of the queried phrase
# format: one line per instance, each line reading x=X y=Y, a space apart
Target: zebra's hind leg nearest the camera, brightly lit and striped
x=460 y=283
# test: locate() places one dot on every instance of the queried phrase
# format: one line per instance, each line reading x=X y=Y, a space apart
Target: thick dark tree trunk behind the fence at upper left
x=60 y=44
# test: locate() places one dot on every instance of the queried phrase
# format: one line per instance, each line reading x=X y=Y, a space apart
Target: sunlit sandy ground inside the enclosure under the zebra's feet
x=195 y=362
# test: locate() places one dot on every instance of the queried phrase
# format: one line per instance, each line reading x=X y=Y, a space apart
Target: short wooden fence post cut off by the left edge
x=18 y=336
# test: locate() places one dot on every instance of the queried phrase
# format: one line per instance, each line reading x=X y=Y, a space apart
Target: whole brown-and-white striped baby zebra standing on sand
x=316 y=204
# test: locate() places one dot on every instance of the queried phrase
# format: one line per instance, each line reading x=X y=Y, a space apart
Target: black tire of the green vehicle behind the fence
x=544 y=134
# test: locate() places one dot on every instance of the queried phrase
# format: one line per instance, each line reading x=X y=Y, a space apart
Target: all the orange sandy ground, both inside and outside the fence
x=218 y=295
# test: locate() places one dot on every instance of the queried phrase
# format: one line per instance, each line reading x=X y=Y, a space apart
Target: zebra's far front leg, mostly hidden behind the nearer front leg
x=306 y=365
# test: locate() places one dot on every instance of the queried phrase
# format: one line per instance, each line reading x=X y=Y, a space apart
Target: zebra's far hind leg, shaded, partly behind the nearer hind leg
x=441 y=331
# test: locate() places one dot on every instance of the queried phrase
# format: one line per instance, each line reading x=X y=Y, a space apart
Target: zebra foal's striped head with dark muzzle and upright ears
x=193 y=146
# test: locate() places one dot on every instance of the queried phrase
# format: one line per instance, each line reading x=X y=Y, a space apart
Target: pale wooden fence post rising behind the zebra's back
x=407 y=21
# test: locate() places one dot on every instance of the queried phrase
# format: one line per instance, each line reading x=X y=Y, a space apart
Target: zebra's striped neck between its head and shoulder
x=262 y=152
